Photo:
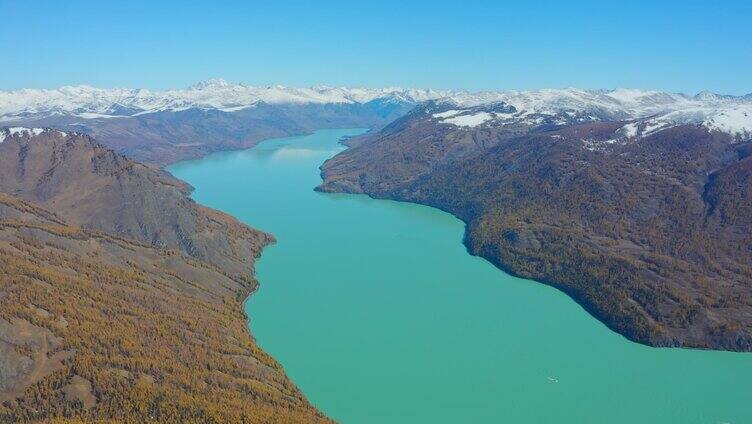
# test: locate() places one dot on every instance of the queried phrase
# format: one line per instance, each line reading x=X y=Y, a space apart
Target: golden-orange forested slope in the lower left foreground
x=102 y=328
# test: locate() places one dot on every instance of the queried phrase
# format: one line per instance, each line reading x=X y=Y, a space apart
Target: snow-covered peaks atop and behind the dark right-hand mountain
x=659 y=110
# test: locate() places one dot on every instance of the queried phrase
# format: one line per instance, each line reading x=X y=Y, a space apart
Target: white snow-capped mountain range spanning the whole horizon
x=732 y=114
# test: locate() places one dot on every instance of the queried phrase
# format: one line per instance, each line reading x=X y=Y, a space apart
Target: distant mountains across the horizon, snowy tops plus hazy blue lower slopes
x=162 y=127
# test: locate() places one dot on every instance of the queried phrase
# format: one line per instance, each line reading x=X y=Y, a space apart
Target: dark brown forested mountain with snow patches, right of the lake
x=645 y=224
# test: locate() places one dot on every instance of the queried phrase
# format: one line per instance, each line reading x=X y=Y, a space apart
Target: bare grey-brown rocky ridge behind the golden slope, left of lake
x=91 y=186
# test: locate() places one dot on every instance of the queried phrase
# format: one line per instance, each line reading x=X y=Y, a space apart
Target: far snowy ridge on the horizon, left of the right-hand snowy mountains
x=94 y=103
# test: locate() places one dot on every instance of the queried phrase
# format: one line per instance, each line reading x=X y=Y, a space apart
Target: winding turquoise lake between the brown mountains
x=379 y=314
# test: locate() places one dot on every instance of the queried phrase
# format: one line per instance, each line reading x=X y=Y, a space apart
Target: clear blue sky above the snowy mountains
x=475 y=45
